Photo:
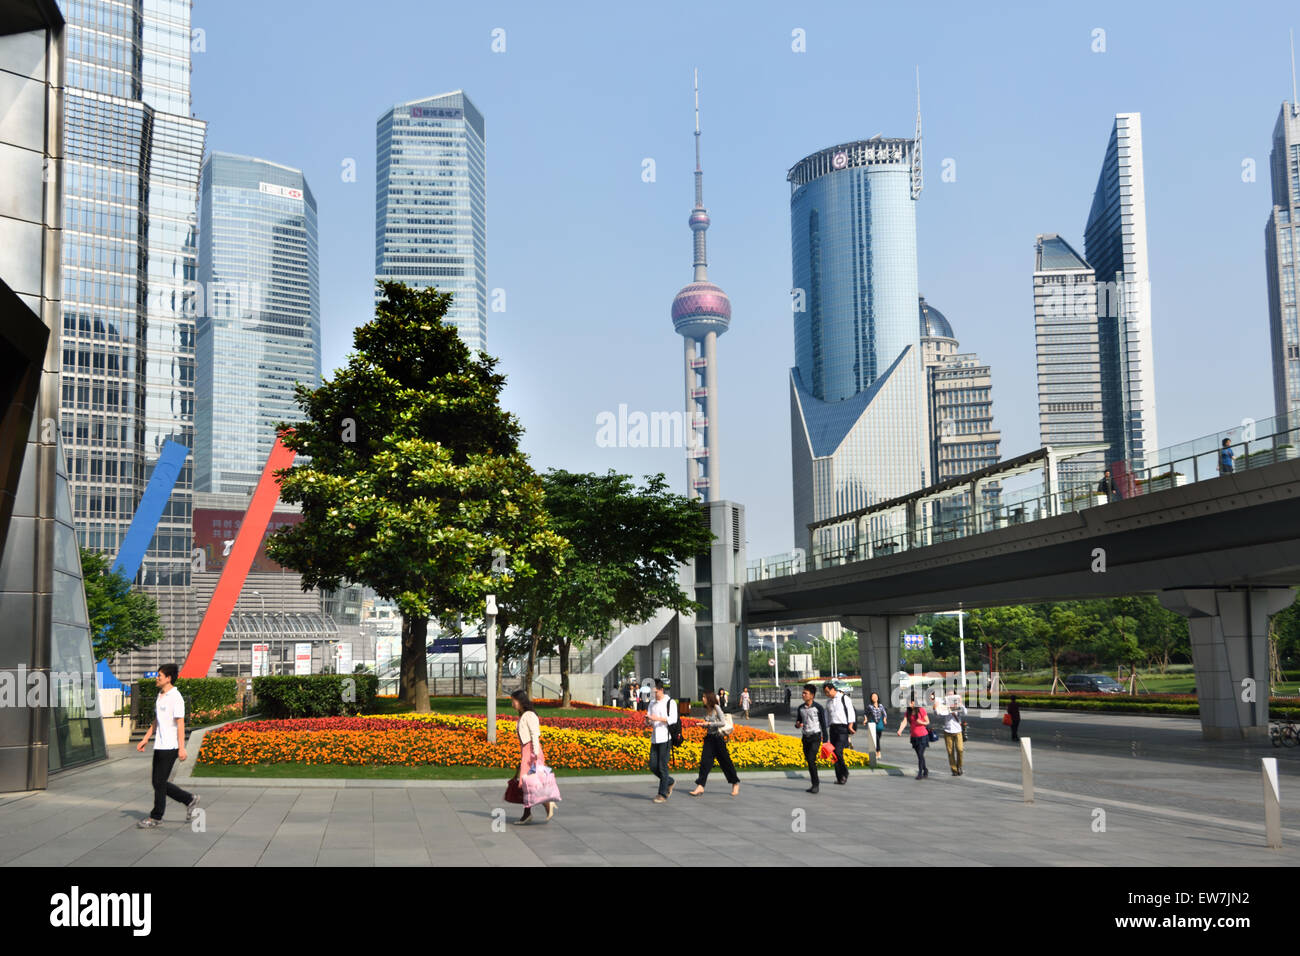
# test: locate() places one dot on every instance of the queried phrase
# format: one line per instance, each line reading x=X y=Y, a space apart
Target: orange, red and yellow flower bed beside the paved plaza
x=461 y=741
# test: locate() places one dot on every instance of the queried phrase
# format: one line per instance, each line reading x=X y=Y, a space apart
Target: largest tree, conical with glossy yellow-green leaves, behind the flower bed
x=415 y=485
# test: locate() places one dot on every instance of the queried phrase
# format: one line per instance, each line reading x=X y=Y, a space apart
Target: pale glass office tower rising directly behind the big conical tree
x=431 y=206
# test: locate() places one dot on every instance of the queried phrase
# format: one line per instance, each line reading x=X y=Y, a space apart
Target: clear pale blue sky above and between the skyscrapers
x=1017 y=107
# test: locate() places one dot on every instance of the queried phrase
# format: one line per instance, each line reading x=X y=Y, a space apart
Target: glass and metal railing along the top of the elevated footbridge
x=1071 y=478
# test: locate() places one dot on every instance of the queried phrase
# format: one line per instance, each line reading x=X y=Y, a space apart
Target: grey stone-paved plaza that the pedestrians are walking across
x=1168 y=798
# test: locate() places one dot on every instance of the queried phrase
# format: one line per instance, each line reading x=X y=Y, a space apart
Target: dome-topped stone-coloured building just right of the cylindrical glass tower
x=960 y=413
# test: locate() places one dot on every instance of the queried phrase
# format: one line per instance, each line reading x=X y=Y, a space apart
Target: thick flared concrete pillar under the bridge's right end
x=1229 y=633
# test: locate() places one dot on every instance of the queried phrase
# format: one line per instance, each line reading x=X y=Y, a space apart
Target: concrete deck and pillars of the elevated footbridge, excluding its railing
x=1225 y=553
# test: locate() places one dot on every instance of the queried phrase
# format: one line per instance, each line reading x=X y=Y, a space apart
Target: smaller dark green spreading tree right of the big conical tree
x=626 y=548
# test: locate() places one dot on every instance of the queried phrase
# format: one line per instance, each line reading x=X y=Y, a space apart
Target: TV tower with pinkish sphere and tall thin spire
x=701 y=313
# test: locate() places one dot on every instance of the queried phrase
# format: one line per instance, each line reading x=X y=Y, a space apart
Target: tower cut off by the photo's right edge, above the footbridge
x=1282 y=262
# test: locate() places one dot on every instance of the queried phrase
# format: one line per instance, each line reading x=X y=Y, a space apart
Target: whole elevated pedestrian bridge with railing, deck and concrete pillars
x=1221 y=550
